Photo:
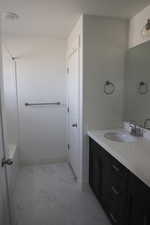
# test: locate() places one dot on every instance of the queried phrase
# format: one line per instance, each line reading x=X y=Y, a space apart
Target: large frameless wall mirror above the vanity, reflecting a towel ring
x=137 y=85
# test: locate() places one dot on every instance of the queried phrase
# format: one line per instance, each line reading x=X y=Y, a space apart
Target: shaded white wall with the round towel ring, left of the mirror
x=105 y=45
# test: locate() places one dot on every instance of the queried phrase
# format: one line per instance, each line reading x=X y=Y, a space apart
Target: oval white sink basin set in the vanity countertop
x=120 y=136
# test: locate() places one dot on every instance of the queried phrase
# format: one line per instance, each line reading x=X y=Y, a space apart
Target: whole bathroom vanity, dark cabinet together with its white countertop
x=119 y=175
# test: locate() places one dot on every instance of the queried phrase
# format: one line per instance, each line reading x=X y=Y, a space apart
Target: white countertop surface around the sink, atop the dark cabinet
x=135 y=156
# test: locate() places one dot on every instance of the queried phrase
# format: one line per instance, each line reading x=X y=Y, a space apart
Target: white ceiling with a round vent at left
x=56 y=17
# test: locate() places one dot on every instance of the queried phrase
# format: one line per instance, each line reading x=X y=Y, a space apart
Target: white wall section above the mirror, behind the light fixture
x=136 y=25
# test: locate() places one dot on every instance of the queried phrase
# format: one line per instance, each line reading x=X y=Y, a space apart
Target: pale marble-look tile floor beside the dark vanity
x=48 y=195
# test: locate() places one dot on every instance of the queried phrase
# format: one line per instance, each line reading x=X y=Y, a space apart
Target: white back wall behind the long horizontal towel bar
x=41 y=78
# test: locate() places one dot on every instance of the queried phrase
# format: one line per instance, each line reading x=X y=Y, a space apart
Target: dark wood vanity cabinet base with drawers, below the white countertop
x=125 y=198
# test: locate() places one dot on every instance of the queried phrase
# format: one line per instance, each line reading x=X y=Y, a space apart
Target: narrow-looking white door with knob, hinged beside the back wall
x=73 y=103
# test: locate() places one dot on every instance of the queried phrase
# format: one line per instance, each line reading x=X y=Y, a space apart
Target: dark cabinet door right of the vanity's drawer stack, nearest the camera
x=139 y=203
